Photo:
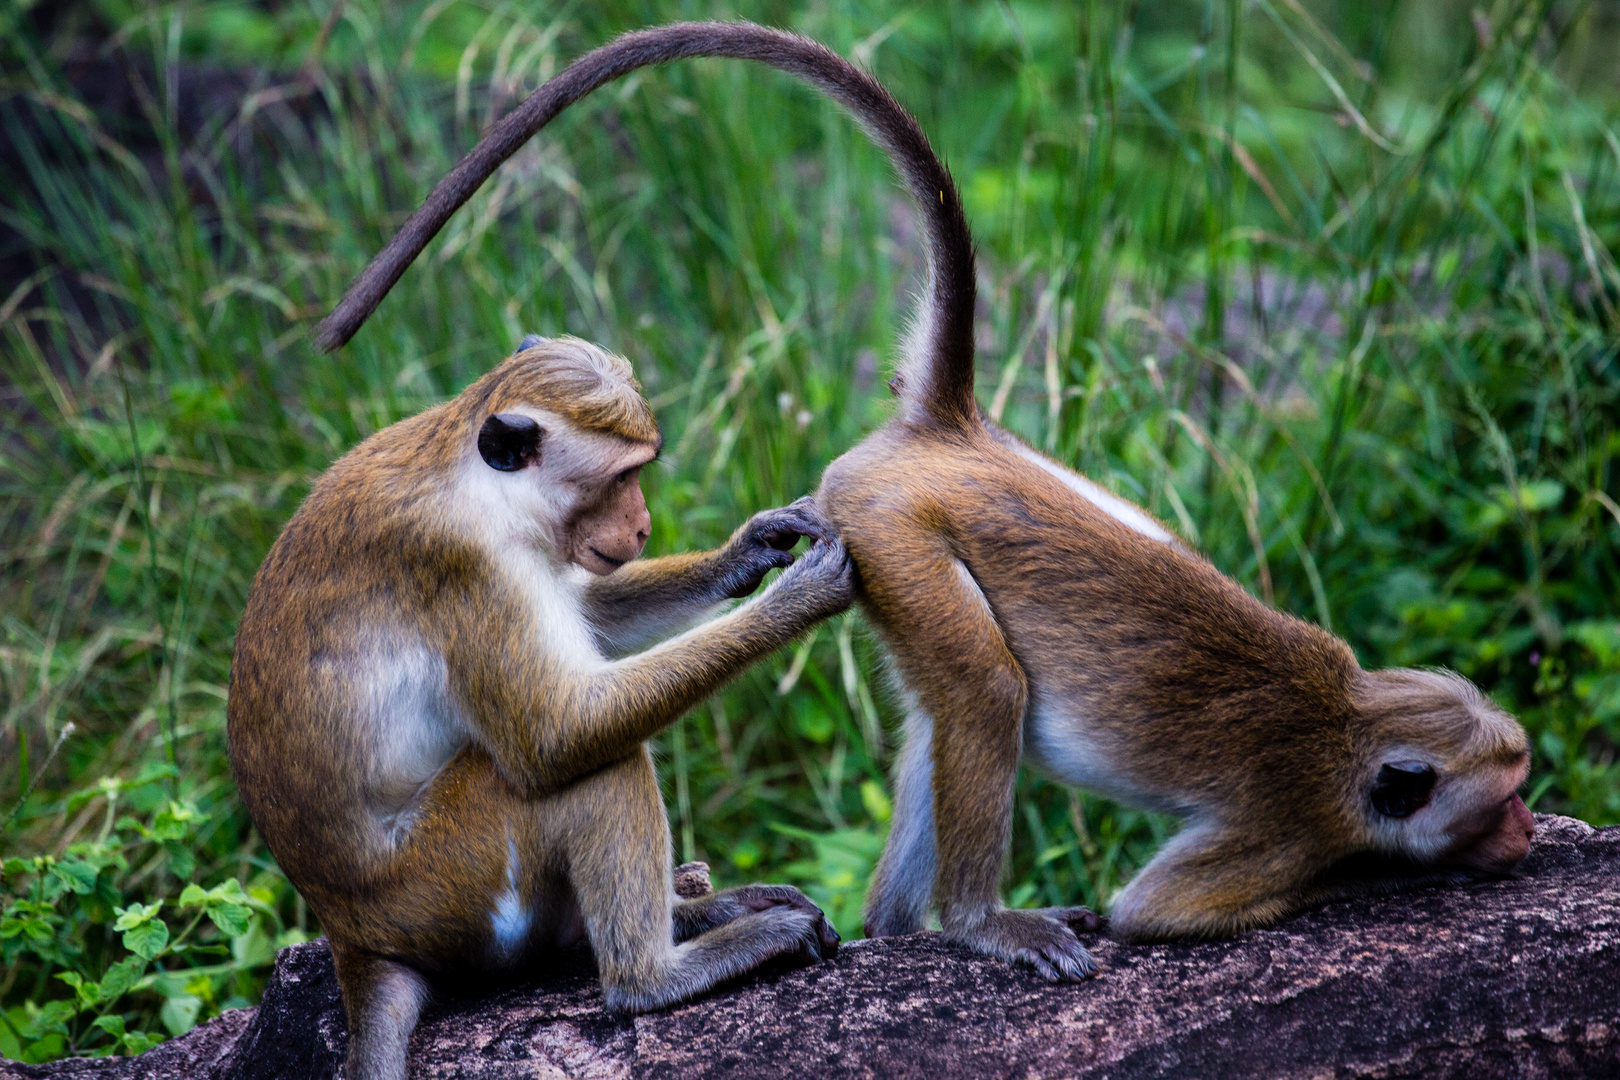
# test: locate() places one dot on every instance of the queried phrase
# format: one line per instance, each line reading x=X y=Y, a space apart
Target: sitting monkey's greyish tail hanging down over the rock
x=383 y=1001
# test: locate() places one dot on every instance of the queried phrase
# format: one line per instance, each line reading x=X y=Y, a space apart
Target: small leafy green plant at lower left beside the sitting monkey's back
x=114 y=972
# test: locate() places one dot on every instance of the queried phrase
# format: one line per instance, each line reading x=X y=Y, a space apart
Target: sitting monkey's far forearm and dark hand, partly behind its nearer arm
x=647 y=602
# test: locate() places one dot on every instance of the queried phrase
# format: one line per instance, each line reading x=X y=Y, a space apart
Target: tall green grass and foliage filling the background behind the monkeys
x=1329 y=289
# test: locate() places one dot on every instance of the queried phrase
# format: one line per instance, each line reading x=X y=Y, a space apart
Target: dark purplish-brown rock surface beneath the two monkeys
x=1504 y=979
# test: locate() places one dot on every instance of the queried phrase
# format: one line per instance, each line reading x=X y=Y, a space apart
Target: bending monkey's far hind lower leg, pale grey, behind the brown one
x=903 y=883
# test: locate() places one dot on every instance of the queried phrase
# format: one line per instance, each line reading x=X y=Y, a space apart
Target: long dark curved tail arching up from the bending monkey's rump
x=937 y=380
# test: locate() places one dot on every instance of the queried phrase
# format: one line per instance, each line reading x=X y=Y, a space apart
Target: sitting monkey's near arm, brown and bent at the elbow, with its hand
x=547 y=725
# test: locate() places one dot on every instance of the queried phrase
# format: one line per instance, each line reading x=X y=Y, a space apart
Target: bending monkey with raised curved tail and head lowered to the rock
x=1031 y=613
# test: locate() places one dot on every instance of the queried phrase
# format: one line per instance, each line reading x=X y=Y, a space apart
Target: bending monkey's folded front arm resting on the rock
x=1208 y=883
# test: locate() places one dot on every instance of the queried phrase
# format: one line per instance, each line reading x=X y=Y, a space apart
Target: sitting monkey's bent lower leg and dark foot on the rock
x=620 y=867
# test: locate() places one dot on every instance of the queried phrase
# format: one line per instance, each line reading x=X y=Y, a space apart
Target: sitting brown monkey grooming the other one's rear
x=438 y=723
